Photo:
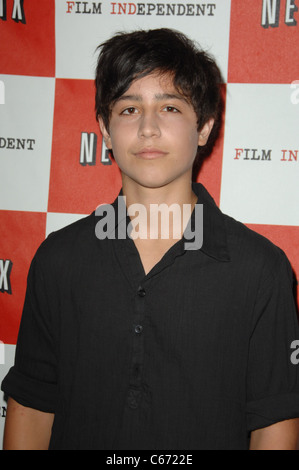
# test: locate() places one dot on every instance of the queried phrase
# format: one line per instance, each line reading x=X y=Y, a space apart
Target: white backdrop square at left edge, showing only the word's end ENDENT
x=26 y=121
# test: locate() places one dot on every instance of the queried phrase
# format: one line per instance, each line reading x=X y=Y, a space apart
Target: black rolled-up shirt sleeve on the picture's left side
x=32 y=381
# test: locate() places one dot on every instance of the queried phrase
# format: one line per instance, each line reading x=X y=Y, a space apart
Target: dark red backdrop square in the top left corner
x=27 y=45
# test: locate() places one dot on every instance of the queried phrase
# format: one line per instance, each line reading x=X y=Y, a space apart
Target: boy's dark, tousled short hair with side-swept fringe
x=129 y=56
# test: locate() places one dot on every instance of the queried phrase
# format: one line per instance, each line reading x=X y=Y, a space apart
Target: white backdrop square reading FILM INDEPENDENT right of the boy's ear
x=261 y=155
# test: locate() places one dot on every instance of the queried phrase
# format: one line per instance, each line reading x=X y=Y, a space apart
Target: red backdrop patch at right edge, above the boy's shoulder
x=287 y=238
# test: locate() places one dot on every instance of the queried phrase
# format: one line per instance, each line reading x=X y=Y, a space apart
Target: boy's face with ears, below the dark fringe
x=153 y=133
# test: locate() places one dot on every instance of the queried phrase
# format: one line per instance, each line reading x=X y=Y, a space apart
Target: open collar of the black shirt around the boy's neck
x=214 y=228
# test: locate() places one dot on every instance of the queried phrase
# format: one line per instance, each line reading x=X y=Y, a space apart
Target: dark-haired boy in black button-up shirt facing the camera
x=141 y=342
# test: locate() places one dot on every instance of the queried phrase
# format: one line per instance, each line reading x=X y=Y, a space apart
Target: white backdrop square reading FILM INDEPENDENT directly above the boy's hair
x=82 y=26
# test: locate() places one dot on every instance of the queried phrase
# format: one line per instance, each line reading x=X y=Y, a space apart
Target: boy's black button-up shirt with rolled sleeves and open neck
x=194 y=355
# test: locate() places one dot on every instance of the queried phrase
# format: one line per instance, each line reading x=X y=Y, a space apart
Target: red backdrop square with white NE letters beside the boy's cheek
x=77 y=187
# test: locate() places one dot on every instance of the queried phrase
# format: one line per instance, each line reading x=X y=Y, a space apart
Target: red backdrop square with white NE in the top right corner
x=264 y=36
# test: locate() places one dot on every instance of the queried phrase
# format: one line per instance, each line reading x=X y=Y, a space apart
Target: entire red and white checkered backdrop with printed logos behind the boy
x=53 y=165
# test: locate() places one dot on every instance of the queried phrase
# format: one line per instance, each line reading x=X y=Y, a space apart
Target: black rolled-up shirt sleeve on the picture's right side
x=272 y=376
